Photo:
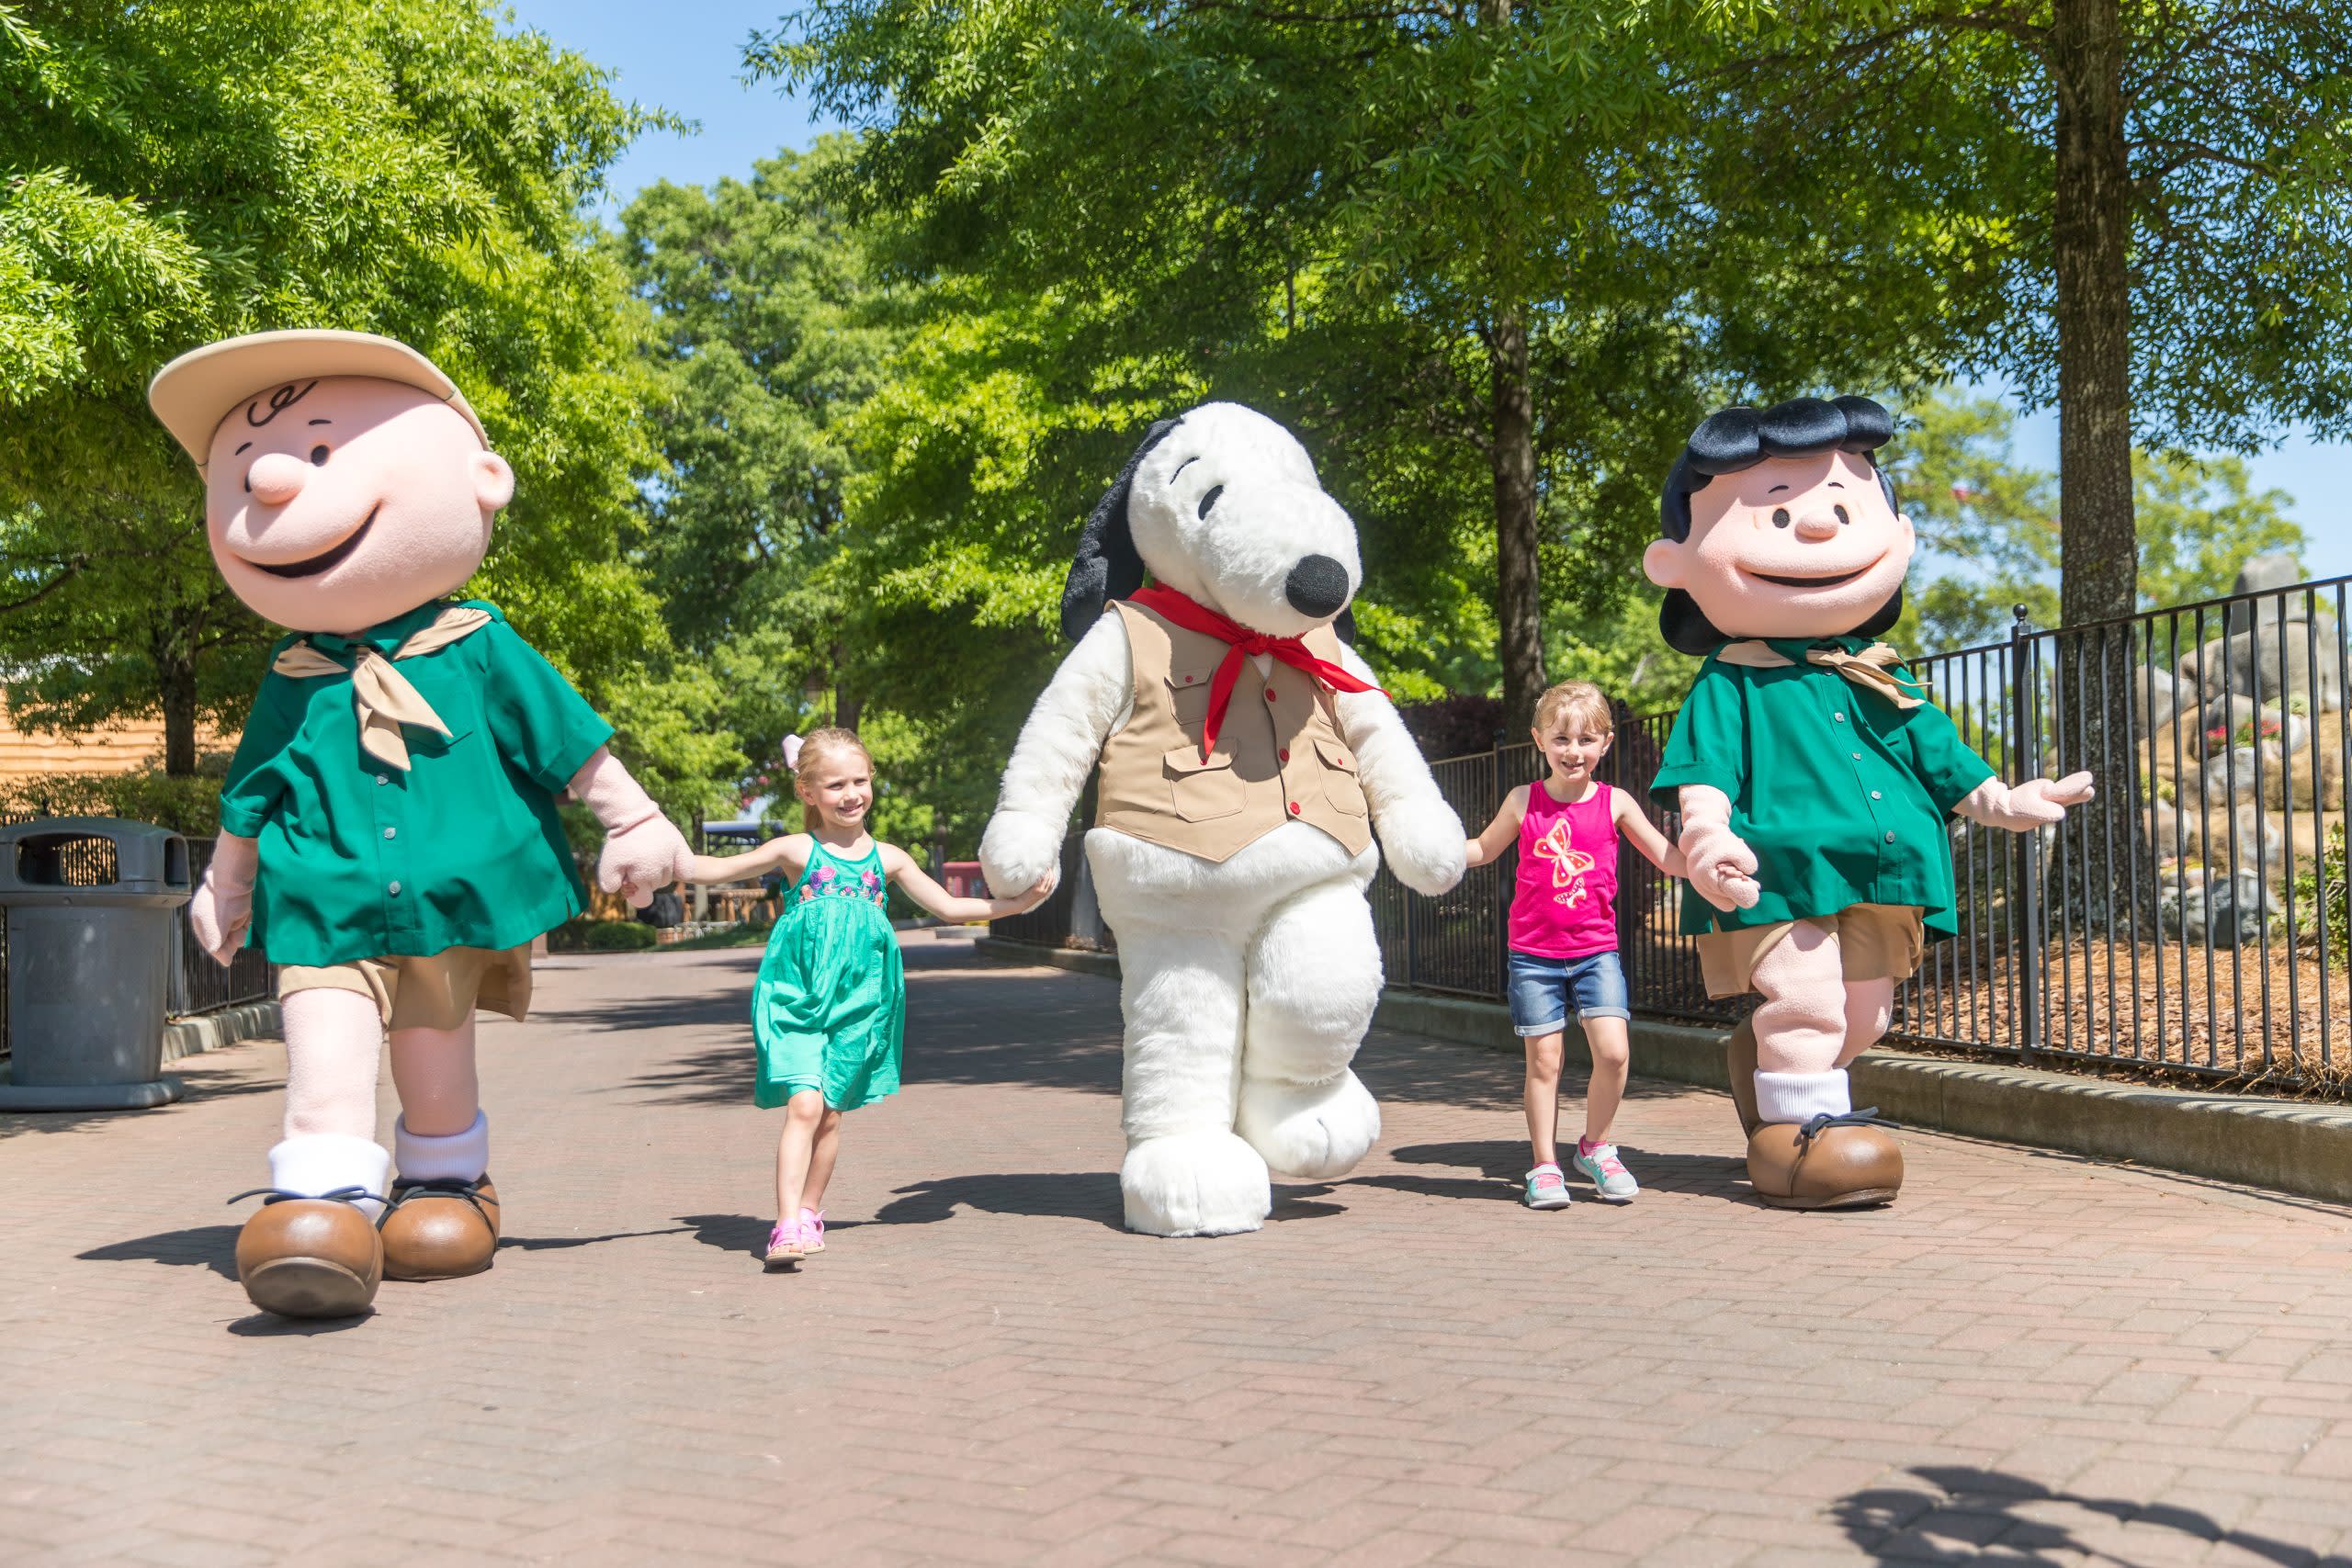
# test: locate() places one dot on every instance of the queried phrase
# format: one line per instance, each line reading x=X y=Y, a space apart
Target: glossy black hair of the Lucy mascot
x=1742 y=438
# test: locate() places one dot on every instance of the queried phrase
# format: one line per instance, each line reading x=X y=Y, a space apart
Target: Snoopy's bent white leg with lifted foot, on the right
x=1314 y=984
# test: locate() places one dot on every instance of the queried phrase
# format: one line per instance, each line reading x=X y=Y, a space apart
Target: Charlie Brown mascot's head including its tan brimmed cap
x=347 y=481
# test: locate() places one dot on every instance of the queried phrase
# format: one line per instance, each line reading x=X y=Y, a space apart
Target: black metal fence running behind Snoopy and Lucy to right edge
x=2193 y=918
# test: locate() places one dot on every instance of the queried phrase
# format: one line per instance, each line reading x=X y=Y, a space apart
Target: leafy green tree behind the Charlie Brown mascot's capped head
x=201 y=168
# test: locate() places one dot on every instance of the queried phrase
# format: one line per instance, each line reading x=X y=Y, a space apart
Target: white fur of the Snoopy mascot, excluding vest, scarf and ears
x=1248 y=984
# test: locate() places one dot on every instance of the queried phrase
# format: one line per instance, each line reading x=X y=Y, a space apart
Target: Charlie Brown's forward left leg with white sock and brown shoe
x=312 y=1249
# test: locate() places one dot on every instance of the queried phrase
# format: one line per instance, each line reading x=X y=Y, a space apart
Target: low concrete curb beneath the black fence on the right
x=2280 y=1146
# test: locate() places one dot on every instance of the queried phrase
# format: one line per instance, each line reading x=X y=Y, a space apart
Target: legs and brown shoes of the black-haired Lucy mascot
x=1796 y=1160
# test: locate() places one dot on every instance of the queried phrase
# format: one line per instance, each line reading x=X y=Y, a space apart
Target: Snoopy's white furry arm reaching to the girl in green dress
x=1057 y=751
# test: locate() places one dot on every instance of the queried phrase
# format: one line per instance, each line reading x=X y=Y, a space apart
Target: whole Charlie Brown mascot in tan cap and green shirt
x=389 y=824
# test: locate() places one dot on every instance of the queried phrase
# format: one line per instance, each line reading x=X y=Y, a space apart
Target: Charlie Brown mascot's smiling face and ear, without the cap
x=340 y=504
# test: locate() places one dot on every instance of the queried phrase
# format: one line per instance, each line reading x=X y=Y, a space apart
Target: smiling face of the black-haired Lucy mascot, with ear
x=1789 y=549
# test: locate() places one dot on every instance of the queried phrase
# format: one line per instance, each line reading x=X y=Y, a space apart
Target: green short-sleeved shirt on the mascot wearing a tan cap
x=462 y=850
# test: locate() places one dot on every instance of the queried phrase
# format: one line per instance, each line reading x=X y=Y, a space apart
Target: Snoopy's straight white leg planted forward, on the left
x=1184 y=1174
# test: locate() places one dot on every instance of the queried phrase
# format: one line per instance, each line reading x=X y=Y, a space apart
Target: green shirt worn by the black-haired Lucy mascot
x=1840 y=793
